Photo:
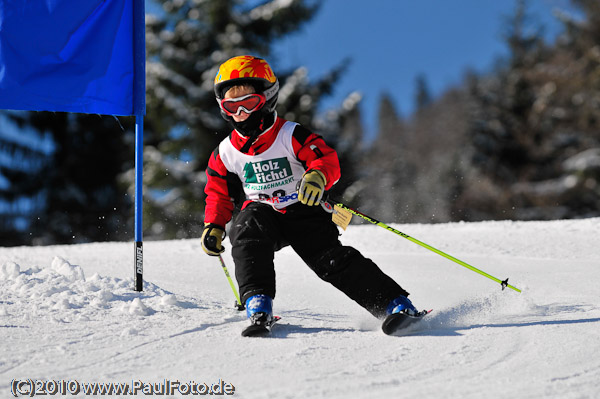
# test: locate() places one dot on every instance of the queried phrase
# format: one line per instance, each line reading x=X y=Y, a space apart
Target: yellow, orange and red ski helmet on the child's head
x=247 y=69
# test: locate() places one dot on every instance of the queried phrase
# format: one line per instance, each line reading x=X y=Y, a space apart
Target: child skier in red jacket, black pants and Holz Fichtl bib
x=267 y=158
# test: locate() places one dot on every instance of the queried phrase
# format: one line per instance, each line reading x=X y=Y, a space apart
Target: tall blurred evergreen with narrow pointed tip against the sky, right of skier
x=504 y=143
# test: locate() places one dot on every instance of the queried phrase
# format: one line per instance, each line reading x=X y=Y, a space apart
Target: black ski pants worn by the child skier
x=259 y=231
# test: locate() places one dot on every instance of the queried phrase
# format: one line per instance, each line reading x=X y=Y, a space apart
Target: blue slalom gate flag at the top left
x=72 y=56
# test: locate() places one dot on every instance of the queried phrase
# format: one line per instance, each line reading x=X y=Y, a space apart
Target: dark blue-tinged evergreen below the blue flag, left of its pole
x=69 y=190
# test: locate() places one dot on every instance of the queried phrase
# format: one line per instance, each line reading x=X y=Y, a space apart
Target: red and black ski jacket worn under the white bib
x=225 y=186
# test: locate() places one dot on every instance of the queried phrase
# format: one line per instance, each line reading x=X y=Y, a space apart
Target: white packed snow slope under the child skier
x=69 y=313
